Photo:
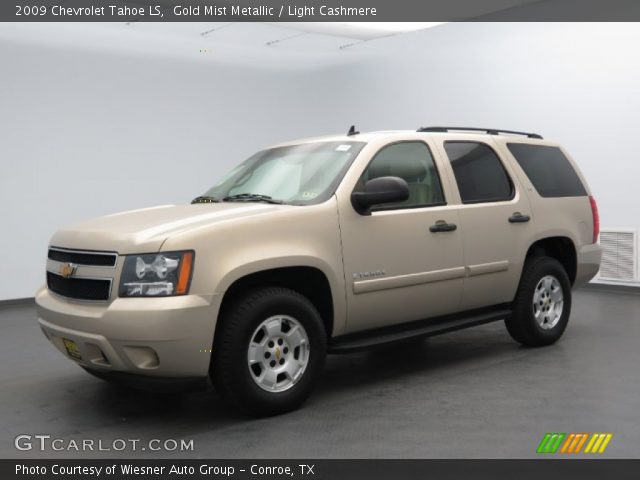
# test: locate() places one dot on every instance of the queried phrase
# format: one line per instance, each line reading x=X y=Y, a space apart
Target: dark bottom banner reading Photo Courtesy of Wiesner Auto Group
x=542 y=469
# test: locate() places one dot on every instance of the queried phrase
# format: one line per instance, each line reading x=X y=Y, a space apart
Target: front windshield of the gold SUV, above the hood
x=298 y=174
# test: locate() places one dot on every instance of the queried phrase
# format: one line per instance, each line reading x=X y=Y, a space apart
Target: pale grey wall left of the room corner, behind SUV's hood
x=86 y=132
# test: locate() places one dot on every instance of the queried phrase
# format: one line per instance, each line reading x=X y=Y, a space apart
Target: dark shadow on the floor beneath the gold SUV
x=453 y=354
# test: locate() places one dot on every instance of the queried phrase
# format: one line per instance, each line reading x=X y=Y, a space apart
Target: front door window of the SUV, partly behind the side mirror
x=411 y=161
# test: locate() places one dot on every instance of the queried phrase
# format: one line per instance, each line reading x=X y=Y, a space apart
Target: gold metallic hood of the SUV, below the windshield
x=145 y=230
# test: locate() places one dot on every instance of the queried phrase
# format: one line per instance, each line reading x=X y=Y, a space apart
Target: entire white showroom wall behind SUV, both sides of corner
x=88 y=131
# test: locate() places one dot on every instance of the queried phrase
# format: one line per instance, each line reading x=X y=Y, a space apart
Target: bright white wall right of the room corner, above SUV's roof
x=578 y=84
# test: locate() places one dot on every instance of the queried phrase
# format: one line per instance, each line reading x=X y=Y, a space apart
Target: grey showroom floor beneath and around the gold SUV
x=469 y=394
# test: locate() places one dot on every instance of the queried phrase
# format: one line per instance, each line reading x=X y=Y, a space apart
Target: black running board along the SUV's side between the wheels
x=422 y=328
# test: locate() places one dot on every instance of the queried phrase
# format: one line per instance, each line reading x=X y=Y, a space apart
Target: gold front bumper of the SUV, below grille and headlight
x=160 y=337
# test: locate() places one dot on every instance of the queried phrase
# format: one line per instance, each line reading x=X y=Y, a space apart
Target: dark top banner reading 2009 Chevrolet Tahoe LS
x=317 y=10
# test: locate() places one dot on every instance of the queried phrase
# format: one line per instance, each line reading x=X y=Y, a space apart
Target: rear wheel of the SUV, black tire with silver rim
x=543 y=322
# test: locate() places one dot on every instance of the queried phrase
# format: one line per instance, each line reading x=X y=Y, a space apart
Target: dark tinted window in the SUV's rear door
x=479 y=172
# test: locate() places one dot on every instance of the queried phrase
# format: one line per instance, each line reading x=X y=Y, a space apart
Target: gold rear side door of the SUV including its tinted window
x=495 y=218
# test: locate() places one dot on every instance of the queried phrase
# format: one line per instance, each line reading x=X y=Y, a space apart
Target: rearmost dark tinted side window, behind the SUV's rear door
x=548 y=169
